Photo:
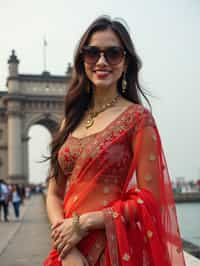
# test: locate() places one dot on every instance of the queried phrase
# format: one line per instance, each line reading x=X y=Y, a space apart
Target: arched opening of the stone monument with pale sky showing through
x=40 y=137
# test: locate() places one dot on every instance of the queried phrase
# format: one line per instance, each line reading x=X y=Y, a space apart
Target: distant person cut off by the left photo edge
x=4 y=199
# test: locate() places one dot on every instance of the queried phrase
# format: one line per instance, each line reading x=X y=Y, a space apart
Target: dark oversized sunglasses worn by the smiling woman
x=113 y=54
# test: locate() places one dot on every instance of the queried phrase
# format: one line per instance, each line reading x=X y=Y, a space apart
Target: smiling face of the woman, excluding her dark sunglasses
x=102 y=73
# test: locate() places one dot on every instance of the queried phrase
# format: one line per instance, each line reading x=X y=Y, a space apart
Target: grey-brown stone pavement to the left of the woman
x=25 y=242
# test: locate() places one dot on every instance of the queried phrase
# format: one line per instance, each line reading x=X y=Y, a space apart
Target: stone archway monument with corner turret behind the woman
x=30 y=99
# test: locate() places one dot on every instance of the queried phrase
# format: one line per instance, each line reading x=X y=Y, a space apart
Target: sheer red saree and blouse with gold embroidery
x=122 y=171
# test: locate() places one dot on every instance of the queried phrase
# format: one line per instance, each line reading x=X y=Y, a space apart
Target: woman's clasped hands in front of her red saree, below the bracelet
x=65 y=237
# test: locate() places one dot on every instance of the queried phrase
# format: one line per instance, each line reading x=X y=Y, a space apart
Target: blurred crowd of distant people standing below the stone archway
x=13 y=195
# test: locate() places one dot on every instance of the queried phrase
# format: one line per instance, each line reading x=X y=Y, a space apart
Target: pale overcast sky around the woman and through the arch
x=167 y=38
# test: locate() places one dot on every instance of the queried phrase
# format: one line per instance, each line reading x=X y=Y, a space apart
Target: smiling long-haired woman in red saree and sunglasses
x=108 y=165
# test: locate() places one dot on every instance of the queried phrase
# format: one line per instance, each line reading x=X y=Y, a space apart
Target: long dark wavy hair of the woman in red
x=80 y=93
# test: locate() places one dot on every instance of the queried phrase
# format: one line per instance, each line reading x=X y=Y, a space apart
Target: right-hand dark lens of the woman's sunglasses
x=114 y=55
